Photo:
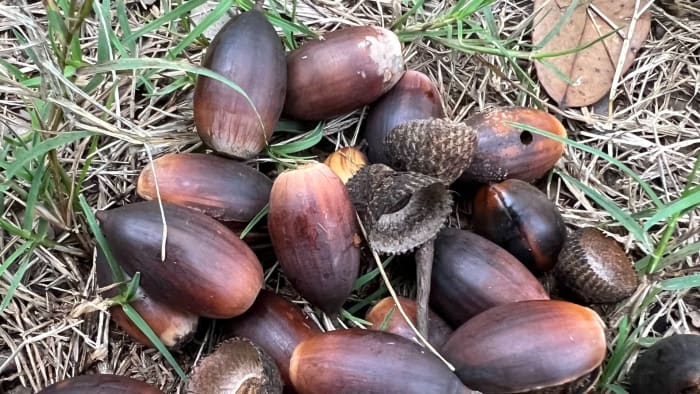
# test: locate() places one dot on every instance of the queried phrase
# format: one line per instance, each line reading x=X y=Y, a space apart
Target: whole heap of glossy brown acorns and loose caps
x=490 y=318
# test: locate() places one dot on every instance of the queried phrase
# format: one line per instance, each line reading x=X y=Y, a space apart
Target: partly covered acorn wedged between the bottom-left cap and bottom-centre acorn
x=274 y=324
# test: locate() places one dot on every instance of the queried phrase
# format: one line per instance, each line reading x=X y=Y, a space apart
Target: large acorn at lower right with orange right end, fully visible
x=527 y=345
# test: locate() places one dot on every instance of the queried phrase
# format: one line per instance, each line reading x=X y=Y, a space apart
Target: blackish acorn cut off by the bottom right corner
x=669 y=366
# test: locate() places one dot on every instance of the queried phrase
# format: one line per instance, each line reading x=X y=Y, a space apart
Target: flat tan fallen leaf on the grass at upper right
x=591 y=70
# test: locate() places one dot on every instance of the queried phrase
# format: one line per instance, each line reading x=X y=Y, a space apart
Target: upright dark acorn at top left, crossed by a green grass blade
x=248 y=52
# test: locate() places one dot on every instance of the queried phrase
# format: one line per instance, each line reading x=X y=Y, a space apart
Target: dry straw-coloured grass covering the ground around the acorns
x=55 y=326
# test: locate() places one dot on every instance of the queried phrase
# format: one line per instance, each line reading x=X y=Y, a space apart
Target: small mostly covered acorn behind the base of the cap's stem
x=438 y=330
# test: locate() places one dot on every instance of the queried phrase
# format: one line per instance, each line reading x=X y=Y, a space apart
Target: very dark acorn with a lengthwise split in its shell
x=520 y=218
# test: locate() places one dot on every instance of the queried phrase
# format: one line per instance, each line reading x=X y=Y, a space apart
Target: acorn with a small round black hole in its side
x=506 y=152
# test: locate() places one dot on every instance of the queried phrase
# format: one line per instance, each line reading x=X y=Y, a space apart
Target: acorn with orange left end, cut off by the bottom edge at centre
x=371 y=362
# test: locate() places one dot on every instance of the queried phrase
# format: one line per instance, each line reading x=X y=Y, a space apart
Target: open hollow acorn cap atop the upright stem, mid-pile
x=400 y=210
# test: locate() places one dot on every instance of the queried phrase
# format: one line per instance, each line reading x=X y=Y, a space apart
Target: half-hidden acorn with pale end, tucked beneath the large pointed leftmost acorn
x=173 y=326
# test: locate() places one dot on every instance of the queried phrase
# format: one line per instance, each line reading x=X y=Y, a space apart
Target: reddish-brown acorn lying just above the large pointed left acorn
x=224 y=189
